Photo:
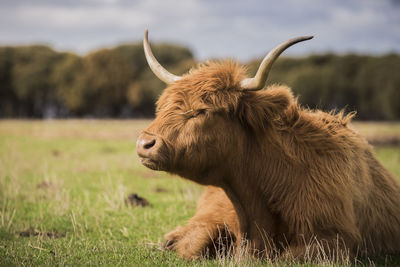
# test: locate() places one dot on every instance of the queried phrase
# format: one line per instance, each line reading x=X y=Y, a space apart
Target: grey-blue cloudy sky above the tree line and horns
x=211 y=28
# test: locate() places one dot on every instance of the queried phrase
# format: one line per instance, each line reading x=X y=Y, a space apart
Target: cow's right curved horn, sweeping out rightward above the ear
x=258 y=82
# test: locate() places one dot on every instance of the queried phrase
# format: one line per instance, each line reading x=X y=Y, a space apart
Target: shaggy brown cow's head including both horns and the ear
x=205 y=118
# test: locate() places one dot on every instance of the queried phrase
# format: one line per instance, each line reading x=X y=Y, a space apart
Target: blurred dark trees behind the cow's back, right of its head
x=366 y=84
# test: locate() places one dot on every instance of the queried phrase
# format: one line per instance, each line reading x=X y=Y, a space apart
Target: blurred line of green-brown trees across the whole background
x=39 y=82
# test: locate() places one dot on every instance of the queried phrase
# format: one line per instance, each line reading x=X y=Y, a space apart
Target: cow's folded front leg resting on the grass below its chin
x=213 y=229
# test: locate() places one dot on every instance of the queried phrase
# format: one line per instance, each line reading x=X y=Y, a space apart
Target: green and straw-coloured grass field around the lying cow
x=63 y=190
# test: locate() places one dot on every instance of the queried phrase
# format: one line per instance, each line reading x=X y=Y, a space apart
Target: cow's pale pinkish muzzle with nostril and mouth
x=148 y=149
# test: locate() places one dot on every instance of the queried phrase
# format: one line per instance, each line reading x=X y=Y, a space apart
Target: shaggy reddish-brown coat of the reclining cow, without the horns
x=293 y=175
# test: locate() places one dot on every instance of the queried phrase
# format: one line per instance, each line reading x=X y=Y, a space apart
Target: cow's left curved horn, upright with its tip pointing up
x=156 y=67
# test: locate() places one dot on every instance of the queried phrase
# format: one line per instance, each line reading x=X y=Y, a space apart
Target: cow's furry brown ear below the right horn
x=258 y=109
